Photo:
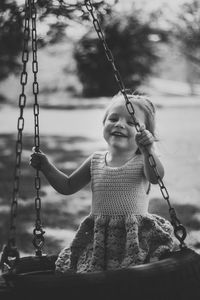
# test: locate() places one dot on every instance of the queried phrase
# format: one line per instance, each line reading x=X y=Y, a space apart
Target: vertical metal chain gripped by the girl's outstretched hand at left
x=38 y=240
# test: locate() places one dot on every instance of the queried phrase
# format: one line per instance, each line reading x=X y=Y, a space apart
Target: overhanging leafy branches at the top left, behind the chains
x=54 y=13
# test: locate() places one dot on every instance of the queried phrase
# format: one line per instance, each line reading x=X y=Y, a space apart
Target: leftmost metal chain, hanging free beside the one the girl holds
x=10 y=254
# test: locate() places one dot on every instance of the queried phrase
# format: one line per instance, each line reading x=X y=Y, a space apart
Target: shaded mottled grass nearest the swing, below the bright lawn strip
x=58 y=214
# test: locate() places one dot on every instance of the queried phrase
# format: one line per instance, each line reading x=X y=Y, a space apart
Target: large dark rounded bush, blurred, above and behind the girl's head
x=133 y=50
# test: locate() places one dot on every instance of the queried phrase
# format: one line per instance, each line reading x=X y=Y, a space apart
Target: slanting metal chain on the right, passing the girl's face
x=179 y=229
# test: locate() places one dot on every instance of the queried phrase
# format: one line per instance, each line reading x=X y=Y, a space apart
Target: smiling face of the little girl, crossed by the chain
x=119 y=130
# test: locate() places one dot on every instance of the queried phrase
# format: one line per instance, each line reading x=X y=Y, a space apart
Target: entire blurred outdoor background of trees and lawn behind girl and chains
x=156 y=48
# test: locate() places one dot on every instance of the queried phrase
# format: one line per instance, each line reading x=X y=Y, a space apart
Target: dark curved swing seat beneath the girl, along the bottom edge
x=176 y=277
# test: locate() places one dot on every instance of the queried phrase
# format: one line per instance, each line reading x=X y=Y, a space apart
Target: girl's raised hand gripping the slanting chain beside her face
x=144 y=139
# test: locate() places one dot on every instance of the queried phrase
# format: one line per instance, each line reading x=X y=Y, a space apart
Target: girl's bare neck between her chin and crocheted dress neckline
x=117 y=158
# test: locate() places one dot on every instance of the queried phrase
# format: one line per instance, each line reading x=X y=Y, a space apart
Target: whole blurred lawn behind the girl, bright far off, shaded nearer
x=68 y=137
